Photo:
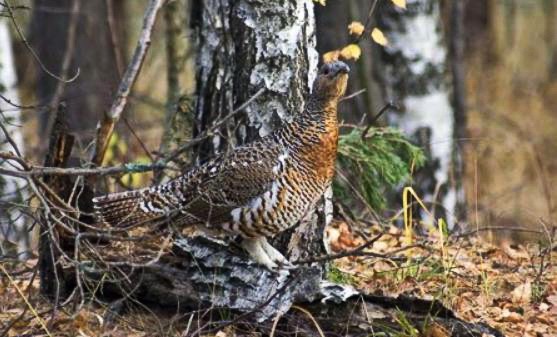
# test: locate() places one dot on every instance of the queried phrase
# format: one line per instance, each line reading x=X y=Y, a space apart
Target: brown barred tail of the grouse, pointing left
x=132 y=208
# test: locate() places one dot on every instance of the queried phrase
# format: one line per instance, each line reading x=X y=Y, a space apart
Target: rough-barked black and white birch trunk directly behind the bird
x=247 y=46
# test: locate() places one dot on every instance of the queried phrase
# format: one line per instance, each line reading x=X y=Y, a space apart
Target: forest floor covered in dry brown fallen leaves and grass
x=512 y=288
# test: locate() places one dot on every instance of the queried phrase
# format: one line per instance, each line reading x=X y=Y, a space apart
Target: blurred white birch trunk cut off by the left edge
x=12 y=190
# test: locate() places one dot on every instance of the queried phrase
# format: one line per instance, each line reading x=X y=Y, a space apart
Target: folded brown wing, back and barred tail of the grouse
x=205 y=194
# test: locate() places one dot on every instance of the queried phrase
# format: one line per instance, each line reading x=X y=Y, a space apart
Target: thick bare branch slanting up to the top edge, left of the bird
x=111 y=117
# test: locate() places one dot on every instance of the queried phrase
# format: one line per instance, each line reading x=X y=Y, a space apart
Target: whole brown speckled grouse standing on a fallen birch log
x=256 y=190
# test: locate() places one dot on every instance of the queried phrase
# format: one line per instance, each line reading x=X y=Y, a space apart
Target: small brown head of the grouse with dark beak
x=331 y=81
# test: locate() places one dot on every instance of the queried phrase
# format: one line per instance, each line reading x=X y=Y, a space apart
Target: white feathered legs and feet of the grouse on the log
x=263 y=253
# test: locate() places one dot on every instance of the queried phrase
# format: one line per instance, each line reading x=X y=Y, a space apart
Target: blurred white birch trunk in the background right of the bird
x=414 y=75
